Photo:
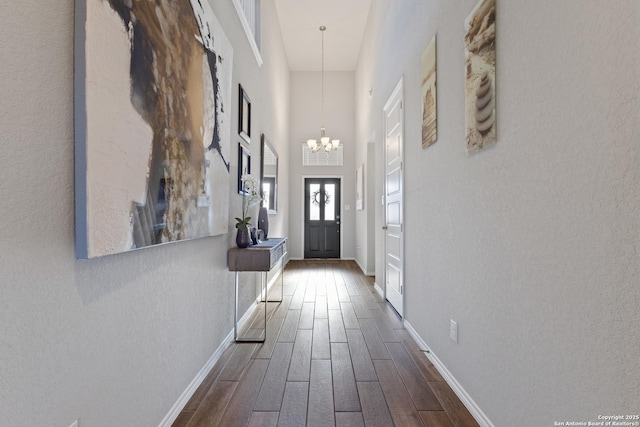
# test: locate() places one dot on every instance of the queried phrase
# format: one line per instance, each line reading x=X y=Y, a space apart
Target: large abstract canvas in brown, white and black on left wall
x=153 y=125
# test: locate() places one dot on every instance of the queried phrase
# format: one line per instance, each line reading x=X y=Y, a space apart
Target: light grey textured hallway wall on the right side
x=531 y=246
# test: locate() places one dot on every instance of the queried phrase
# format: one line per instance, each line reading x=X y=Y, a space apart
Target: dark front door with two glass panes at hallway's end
x=322 y=218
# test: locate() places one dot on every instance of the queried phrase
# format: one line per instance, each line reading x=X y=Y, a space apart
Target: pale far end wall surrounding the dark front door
x=339 y=112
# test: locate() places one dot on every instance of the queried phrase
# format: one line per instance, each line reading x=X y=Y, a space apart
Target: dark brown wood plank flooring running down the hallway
x=336 y=355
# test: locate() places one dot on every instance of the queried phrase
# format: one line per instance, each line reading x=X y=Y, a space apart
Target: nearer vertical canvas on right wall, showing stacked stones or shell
x=480 y=63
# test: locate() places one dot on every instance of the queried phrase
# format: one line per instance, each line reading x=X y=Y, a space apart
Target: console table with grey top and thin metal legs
x=257 y=258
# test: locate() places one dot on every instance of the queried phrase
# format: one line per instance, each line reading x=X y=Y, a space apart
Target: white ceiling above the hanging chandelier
x=300 y=22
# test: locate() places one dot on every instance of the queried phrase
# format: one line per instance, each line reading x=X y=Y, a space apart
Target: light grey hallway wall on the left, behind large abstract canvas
x=114 y=340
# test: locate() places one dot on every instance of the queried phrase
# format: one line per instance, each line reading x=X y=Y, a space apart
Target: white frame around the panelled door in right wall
x=398 y=91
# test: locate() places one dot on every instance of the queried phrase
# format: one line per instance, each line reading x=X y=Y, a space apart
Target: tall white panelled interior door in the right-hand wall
x=394 y=238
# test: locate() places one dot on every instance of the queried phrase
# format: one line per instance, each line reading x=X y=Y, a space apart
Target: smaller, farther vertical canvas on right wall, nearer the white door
x=429 y=112
